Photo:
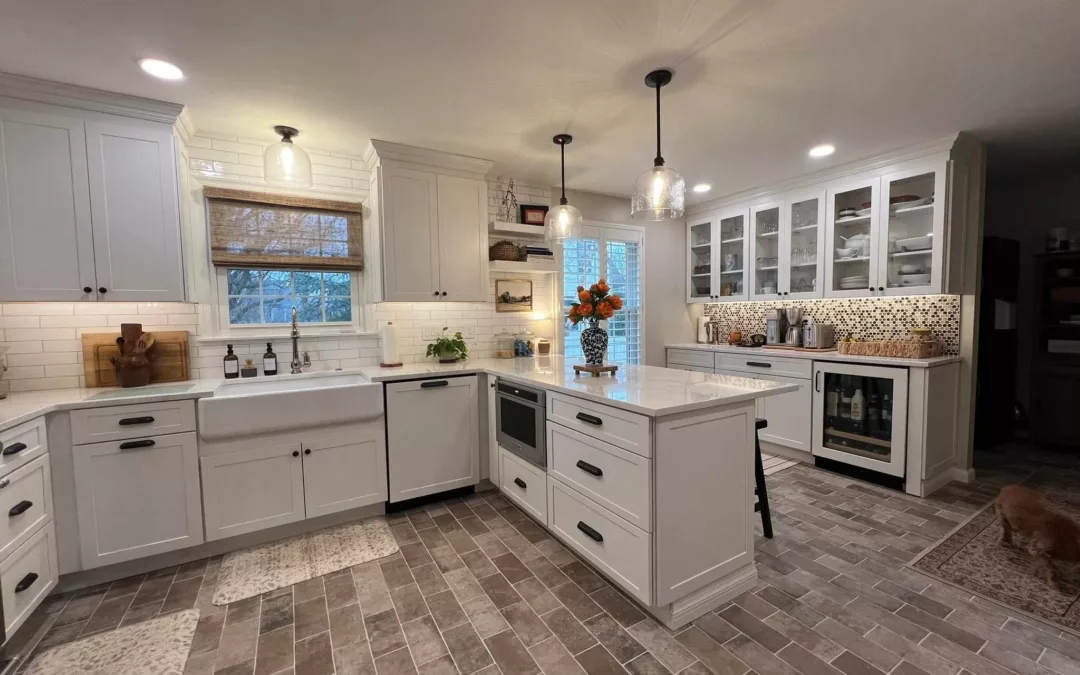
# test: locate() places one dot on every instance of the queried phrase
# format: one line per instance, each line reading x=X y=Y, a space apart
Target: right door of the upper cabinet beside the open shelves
x=463 y=238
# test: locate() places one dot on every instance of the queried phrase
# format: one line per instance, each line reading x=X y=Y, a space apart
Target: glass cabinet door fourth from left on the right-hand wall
x=803 y=244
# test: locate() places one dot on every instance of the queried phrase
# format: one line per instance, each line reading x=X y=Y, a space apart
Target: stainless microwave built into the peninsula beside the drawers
x=521 y=414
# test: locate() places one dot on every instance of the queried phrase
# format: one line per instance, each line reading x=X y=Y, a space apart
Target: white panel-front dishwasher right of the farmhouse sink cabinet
x=434 y=436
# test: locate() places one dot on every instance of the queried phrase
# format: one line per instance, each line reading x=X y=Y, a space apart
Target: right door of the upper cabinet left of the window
x=133 y=196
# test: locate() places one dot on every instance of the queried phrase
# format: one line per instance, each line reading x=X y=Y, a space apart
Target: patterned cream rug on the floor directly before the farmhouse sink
x=279 y=564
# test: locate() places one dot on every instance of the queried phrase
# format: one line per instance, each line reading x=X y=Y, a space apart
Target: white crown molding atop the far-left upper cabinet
x=87 y=99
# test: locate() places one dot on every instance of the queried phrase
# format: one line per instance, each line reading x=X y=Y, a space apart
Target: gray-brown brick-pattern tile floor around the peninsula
x=479 y=588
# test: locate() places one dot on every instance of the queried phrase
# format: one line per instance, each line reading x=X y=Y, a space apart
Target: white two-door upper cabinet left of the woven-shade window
x=89 y=208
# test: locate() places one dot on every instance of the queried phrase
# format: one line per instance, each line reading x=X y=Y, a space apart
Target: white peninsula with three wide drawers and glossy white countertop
x=649 y=474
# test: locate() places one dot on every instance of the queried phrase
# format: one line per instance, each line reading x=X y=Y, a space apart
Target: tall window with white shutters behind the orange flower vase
x=618 y=253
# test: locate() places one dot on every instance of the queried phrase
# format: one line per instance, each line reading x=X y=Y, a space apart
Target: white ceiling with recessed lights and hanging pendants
x=758 y=83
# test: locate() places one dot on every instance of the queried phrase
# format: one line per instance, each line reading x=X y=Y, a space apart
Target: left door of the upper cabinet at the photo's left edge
x=47 y=248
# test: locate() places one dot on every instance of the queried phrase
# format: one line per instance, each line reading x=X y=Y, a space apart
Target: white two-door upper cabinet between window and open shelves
x=428 y=240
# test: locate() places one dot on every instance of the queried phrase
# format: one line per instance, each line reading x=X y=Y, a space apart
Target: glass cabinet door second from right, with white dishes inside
x=850 y=251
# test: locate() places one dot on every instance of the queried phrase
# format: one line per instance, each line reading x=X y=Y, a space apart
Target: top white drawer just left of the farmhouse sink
x=131 y=422
